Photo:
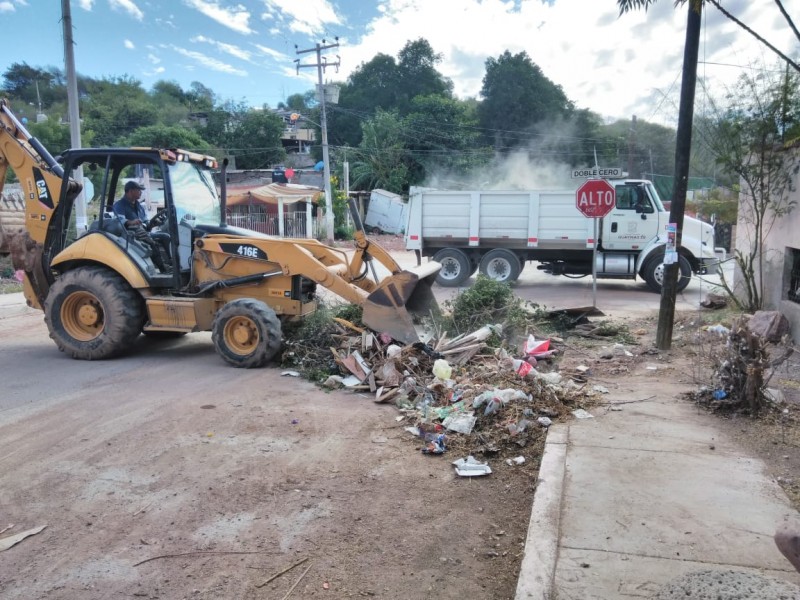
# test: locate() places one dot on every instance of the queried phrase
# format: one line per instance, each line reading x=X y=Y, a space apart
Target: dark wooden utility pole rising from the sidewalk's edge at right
x=683 y=146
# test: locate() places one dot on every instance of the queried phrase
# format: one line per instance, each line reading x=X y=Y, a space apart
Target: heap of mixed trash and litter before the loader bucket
x=459 y=395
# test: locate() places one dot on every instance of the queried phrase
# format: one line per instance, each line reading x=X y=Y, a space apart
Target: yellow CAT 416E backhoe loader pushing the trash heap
x=99 y=288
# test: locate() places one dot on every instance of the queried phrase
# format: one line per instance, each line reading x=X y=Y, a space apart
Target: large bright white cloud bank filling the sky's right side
x=614 y=65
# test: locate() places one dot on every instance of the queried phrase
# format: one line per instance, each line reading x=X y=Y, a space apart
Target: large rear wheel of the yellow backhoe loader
x=92 y=313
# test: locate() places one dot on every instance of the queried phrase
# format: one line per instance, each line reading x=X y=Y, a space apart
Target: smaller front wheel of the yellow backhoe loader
x=246 y=333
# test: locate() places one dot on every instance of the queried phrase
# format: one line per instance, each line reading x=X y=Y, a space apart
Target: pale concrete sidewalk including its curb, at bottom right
x=635 y=498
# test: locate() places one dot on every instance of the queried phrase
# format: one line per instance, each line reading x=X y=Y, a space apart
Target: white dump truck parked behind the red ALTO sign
x=499 y=231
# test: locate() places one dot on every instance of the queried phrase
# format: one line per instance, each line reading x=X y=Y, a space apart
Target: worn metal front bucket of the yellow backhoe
x=388 y=309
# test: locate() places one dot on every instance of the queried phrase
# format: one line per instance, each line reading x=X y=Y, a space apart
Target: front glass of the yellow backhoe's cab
x=194 y=193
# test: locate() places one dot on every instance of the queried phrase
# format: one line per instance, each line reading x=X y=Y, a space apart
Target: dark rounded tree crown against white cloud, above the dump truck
x=517 y=96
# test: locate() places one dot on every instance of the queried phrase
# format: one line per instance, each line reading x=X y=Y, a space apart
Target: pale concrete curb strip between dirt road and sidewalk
x=538 y=567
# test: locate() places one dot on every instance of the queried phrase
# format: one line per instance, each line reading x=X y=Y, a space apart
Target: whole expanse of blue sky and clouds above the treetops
x=245 y=49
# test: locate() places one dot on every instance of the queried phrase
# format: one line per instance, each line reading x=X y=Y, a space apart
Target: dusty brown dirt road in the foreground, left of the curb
x=231 y=475
